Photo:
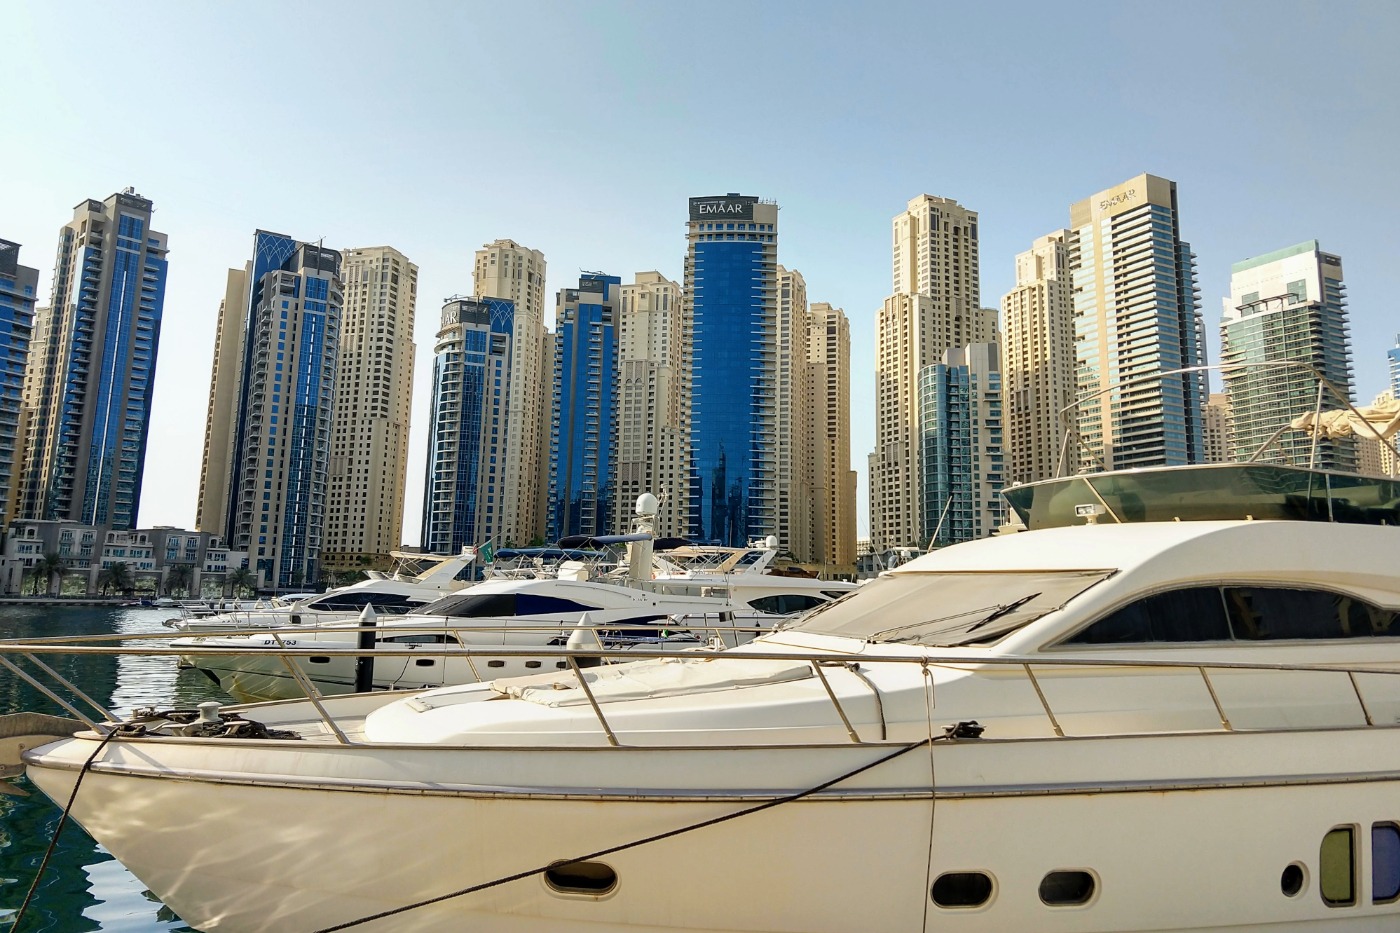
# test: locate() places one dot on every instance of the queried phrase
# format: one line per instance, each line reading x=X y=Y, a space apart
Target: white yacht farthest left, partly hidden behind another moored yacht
x=390 y=595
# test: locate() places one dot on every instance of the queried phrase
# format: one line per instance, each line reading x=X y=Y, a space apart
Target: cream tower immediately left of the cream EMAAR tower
x=1038 y=362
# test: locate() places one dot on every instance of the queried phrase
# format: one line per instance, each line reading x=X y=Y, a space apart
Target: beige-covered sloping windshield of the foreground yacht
x=947 y=610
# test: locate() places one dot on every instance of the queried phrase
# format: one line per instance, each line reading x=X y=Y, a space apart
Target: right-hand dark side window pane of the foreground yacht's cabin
x=1280 y=613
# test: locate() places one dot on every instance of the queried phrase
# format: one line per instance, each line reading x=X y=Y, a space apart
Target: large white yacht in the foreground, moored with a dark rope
x=1168 y=705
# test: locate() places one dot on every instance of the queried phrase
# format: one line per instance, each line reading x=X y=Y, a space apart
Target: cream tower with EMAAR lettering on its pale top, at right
x=1136 y=316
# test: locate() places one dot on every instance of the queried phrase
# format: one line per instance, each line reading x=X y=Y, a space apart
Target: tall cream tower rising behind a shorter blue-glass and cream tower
x=506 y=270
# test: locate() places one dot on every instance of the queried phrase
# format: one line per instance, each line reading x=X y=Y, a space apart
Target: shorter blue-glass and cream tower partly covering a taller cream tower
x=467 y=463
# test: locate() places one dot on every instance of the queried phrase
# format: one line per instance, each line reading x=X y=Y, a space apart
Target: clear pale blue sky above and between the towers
x=580 y=130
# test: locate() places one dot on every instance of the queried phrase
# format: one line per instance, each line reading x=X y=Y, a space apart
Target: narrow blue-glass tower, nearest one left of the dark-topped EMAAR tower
x=584 y=413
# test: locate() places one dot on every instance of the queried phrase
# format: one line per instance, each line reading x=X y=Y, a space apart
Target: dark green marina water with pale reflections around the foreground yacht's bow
x=85 y=889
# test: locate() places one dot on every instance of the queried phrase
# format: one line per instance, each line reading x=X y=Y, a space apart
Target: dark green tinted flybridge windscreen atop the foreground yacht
x=1214 y=492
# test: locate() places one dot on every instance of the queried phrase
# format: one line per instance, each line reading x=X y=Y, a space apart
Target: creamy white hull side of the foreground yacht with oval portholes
x=297 y=838
